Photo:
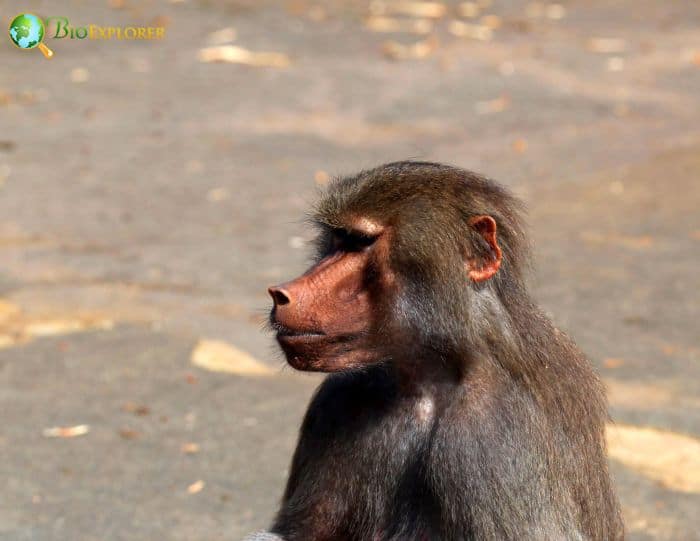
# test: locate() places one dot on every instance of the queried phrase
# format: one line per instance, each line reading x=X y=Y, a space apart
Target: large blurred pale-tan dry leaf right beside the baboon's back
x=669 y=458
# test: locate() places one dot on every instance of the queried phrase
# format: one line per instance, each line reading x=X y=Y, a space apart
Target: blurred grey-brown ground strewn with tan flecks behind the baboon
x=151 y=190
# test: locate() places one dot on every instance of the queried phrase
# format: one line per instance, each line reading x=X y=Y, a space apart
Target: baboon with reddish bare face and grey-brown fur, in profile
x=453 y=409
